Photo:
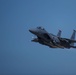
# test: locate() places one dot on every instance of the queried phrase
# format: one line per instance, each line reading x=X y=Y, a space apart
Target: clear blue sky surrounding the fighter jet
x=20 y=56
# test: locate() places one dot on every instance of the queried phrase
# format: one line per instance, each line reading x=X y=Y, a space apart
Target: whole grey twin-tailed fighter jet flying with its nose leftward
x=51 y=40
